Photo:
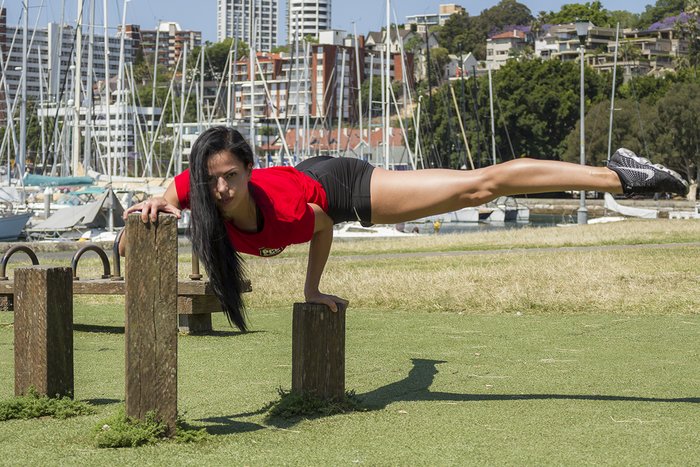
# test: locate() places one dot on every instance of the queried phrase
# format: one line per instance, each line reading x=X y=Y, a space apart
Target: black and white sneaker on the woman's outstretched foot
x=638 y=175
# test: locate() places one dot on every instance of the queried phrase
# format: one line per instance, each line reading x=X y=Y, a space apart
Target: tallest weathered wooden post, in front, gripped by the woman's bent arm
x=151 y=318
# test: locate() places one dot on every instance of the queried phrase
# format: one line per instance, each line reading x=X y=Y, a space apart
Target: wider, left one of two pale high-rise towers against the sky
x=237 y=18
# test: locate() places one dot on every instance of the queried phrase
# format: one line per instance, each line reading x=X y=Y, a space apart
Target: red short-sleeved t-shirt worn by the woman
x=281 y=194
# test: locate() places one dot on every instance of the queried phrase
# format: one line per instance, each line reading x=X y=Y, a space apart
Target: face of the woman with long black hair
x=228 y=182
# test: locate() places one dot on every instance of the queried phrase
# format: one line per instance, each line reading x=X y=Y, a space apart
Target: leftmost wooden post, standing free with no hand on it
x=44 y=331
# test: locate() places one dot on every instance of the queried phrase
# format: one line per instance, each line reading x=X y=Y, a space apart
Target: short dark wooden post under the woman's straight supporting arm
x=318 y=350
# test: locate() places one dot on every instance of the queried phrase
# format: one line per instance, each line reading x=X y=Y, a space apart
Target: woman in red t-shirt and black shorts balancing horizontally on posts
x=237 y=209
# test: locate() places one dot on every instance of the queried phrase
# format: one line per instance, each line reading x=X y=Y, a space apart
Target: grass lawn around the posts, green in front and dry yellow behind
x=537 y=357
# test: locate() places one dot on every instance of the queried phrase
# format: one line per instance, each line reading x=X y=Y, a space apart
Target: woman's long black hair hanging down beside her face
x=207 y=230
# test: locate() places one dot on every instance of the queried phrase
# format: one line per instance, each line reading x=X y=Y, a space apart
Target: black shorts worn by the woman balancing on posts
x=346 y=181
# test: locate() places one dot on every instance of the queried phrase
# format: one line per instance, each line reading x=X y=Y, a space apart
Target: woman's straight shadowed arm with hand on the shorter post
x=319 y=249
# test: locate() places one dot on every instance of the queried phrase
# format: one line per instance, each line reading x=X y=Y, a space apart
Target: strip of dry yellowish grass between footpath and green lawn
x=646 y=281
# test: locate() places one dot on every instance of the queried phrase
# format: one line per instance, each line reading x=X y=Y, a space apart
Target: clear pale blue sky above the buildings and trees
x=200 y=15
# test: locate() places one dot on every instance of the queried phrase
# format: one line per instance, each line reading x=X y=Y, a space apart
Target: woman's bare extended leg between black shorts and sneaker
x=399 y=196
